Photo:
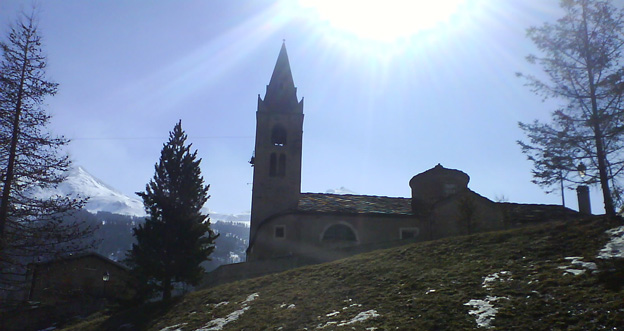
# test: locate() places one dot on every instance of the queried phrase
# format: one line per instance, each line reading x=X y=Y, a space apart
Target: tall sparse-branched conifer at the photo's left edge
x=31 y=225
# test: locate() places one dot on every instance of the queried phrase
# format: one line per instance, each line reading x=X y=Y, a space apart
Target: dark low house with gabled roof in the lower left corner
x=59 y=289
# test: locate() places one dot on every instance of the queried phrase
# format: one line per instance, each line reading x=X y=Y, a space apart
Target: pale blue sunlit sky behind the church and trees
x=380 y=105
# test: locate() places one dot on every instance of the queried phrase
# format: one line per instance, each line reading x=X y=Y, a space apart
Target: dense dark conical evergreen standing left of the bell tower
x=176 y=237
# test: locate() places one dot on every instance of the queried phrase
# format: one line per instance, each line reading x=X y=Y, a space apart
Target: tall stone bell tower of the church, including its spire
x=277 y=160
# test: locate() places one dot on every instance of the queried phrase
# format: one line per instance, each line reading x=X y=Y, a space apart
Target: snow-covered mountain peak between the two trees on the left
x=102 y=197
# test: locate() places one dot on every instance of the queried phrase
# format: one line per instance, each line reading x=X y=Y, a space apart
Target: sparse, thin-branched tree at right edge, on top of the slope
x=581 y=59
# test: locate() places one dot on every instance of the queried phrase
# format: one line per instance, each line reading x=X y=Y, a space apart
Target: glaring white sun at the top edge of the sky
x=384 y=21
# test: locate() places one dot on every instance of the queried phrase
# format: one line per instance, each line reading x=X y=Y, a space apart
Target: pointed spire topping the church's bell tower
x=281 y=92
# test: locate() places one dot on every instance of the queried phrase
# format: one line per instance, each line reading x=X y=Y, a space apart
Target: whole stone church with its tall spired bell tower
x=319 y=227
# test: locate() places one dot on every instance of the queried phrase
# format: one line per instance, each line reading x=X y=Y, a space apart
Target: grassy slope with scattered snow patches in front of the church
x=534 y=278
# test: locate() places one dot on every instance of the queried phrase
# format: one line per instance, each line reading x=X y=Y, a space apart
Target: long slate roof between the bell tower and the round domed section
x=353 y=204
